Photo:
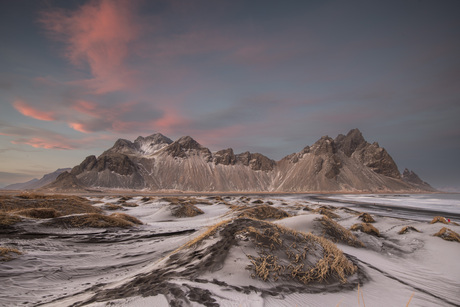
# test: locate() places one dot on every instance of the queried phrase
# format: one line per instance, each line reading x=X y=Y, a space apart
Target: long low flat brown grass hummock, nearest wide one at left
x=92 y=220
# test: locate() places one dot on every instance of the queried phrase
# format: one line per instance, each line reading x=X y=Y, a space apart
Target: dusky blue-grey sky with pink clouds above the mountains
x=264 y=76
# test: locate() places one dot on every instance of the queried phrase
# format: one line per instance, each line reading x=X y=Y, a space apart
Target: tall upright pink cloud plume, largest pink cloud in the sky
x=98 y=34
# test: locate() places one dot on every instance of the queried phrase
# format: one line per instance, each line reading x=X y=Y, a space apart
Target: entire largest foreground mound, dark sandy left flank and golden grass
x=273 y=251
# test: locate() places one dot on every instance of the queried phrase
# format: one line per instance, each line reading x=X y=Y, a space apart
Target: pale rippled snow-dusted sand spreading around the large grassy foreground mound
x=63 y=267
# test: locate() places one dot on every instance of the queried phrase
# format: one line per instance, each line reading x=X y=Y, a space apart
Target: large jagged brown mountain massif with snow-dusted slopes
x=347 y=163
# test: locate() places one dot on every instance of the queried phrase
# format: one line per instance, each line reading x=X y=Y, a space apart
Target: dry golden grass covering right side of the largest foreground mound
x=289 y=254
